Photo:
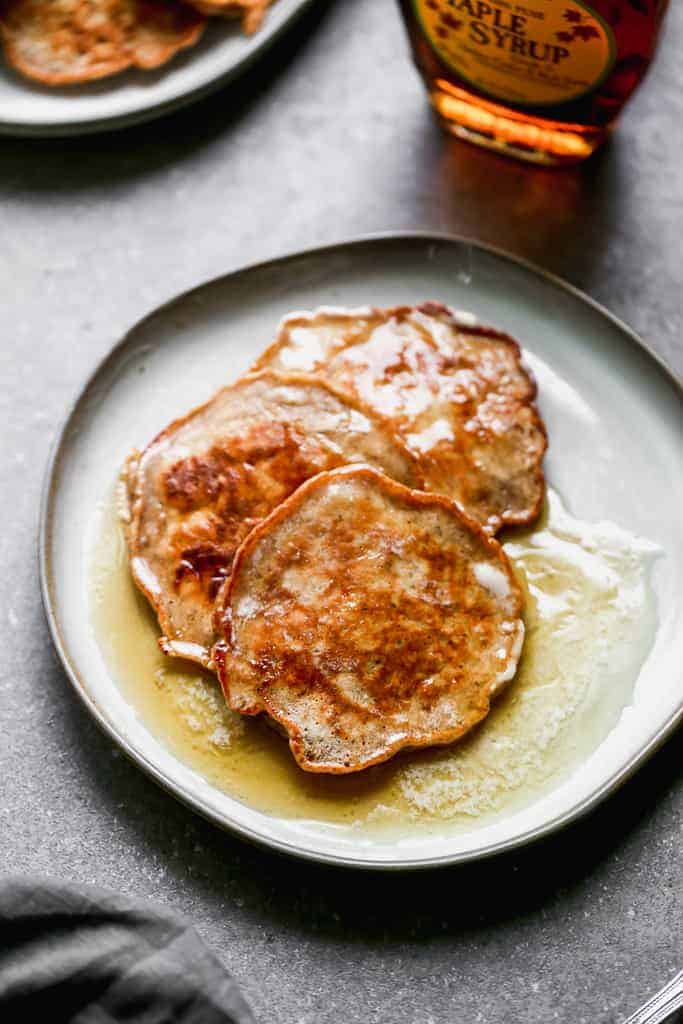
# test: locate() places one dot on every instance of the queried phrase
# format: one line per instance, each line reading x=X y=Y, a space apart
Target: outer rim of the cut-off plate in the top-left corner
x=91 y=125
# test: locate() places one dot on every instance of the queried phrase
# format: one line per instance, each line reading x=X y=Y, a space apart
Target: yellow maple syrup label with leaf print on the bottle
x=533 y=54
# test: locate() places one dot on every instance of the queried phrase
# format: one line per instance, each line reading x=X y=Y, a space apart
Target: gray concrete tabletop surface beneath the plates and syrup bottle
x=329 y=137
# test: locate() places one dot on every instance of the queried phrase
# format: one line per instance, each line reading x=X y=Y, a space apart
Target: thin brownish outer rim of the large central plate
x=141 y=760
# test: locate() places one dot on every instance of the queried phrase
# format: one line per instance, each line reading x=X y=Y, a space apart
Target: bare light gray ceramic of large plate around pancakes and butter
x=616 y=423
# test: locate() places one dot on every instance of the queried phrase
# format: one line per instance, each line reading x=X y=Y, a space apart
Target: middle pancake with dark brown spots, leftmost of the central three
x=210 y=478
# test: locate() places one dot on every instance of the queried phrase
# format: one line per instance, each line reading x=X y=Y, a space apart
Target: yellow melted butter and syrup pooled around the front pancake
x=590 y=624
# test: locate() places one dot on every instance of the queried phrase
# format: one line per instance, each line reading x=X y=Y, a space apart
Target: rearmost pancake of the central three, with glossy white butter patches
x=459 y=396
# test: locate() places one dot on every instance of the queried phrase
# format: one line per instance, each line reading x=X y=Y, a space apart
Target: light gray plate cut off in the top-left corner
x=29 y=109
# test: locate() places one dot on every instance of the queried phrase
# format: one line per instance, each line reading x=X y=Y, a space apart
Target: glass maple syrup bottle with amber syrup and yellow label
x=542 y=80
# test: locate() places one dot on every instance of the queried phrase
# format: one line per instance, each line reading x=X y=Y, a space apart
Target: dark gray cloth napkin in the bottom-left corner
x=75 y=954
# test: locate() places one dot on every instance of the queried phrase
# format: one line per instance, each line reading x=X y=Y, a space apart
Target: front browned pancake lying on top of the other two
x=365 y=618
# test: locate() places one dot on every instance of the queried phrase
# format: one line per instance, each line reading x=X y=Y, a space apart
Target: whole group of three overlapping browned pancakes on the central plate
x=322 y=533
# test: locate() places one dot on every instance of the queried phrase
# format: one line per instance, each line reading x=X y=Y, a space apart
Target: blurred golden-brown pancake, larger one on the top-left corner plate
x=60 y=42
